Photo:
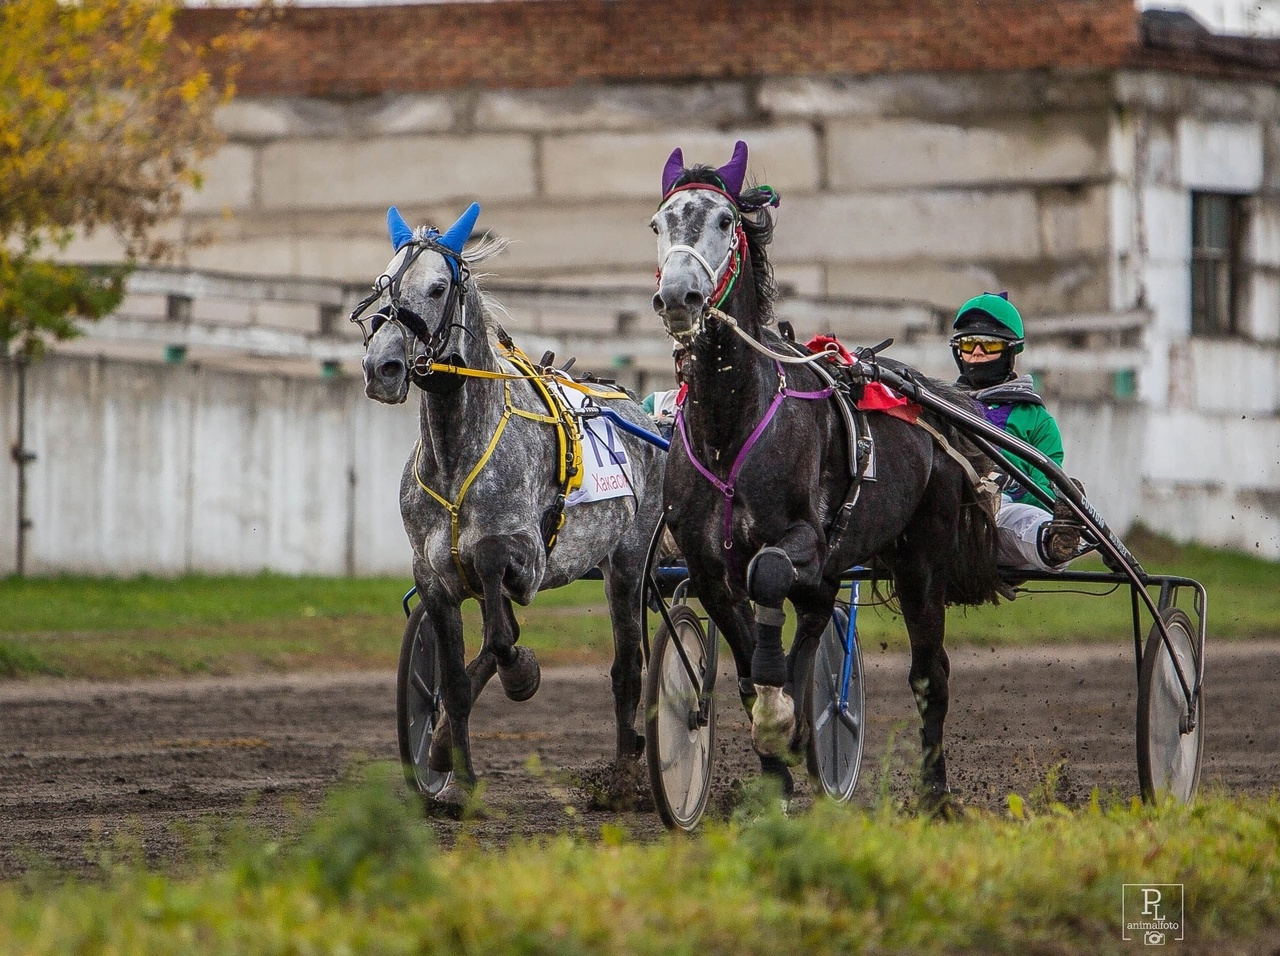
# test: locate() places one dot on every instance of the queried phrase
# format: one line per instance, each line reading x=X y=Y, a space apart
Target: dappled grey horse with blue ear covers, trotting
x=506 y=501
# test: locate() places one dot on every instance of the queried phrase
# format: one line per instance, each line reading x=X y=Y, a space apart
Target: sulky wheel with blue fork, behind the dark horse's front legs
x=836 y=735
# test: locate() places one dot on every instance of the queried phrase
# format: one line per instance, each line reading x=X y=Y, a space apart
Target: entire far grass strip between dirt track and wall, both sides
x=145 y=626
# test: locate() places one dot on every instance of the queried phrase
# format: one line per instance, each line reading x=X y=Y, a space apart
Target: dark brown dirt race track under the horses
x=83 y=762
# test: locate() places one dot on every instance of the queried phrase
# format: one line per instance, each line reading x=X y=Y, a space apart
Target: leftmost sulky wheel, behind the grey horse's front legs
x=419 y=707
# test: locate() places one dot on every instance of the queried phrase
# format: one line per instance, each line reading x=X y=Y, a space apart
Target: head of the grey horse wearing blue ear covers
x=420 y=312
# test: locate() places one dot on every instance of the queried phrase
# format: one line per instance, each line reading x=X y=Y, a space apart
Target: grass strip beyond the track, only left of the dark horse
x=200 y=625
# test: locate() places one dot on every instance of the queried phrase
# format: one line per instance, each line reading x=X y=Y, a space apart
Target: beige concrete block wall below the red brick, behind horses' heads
x=996 y=187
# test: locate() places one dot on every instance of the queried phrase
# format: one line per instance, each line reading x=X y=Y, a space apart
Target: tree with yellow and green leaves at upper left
x=104 y=117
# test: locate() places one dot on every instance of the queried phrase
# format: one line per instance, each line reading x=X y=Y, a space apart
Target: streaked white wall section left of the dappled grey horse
x=170 y=469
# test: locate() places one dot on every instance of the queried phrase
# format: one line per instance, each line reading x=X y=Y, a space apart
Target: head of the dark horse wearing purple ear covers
x=703 y=239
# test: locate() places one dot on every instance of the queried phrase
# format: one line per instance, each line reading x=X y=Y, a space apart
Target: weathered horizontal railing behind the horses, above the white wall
x=611 y=327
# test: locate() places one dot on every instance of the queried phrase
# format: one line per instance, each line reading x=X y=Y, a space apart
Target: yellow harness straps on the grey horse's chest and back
x=569 y=446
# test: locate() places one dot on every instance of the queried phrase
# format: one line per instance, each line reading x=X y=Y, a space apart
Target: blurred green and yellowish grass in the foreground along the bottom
x=367 y=877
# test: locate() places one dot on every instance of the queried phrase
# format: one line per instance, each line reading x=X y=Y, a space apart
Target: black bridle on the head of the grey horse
x=410 y=323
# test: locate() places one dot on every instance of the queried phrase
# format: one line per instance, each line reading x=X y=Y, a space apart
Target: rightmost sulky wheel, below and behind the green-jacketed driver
x=1169 y=754
